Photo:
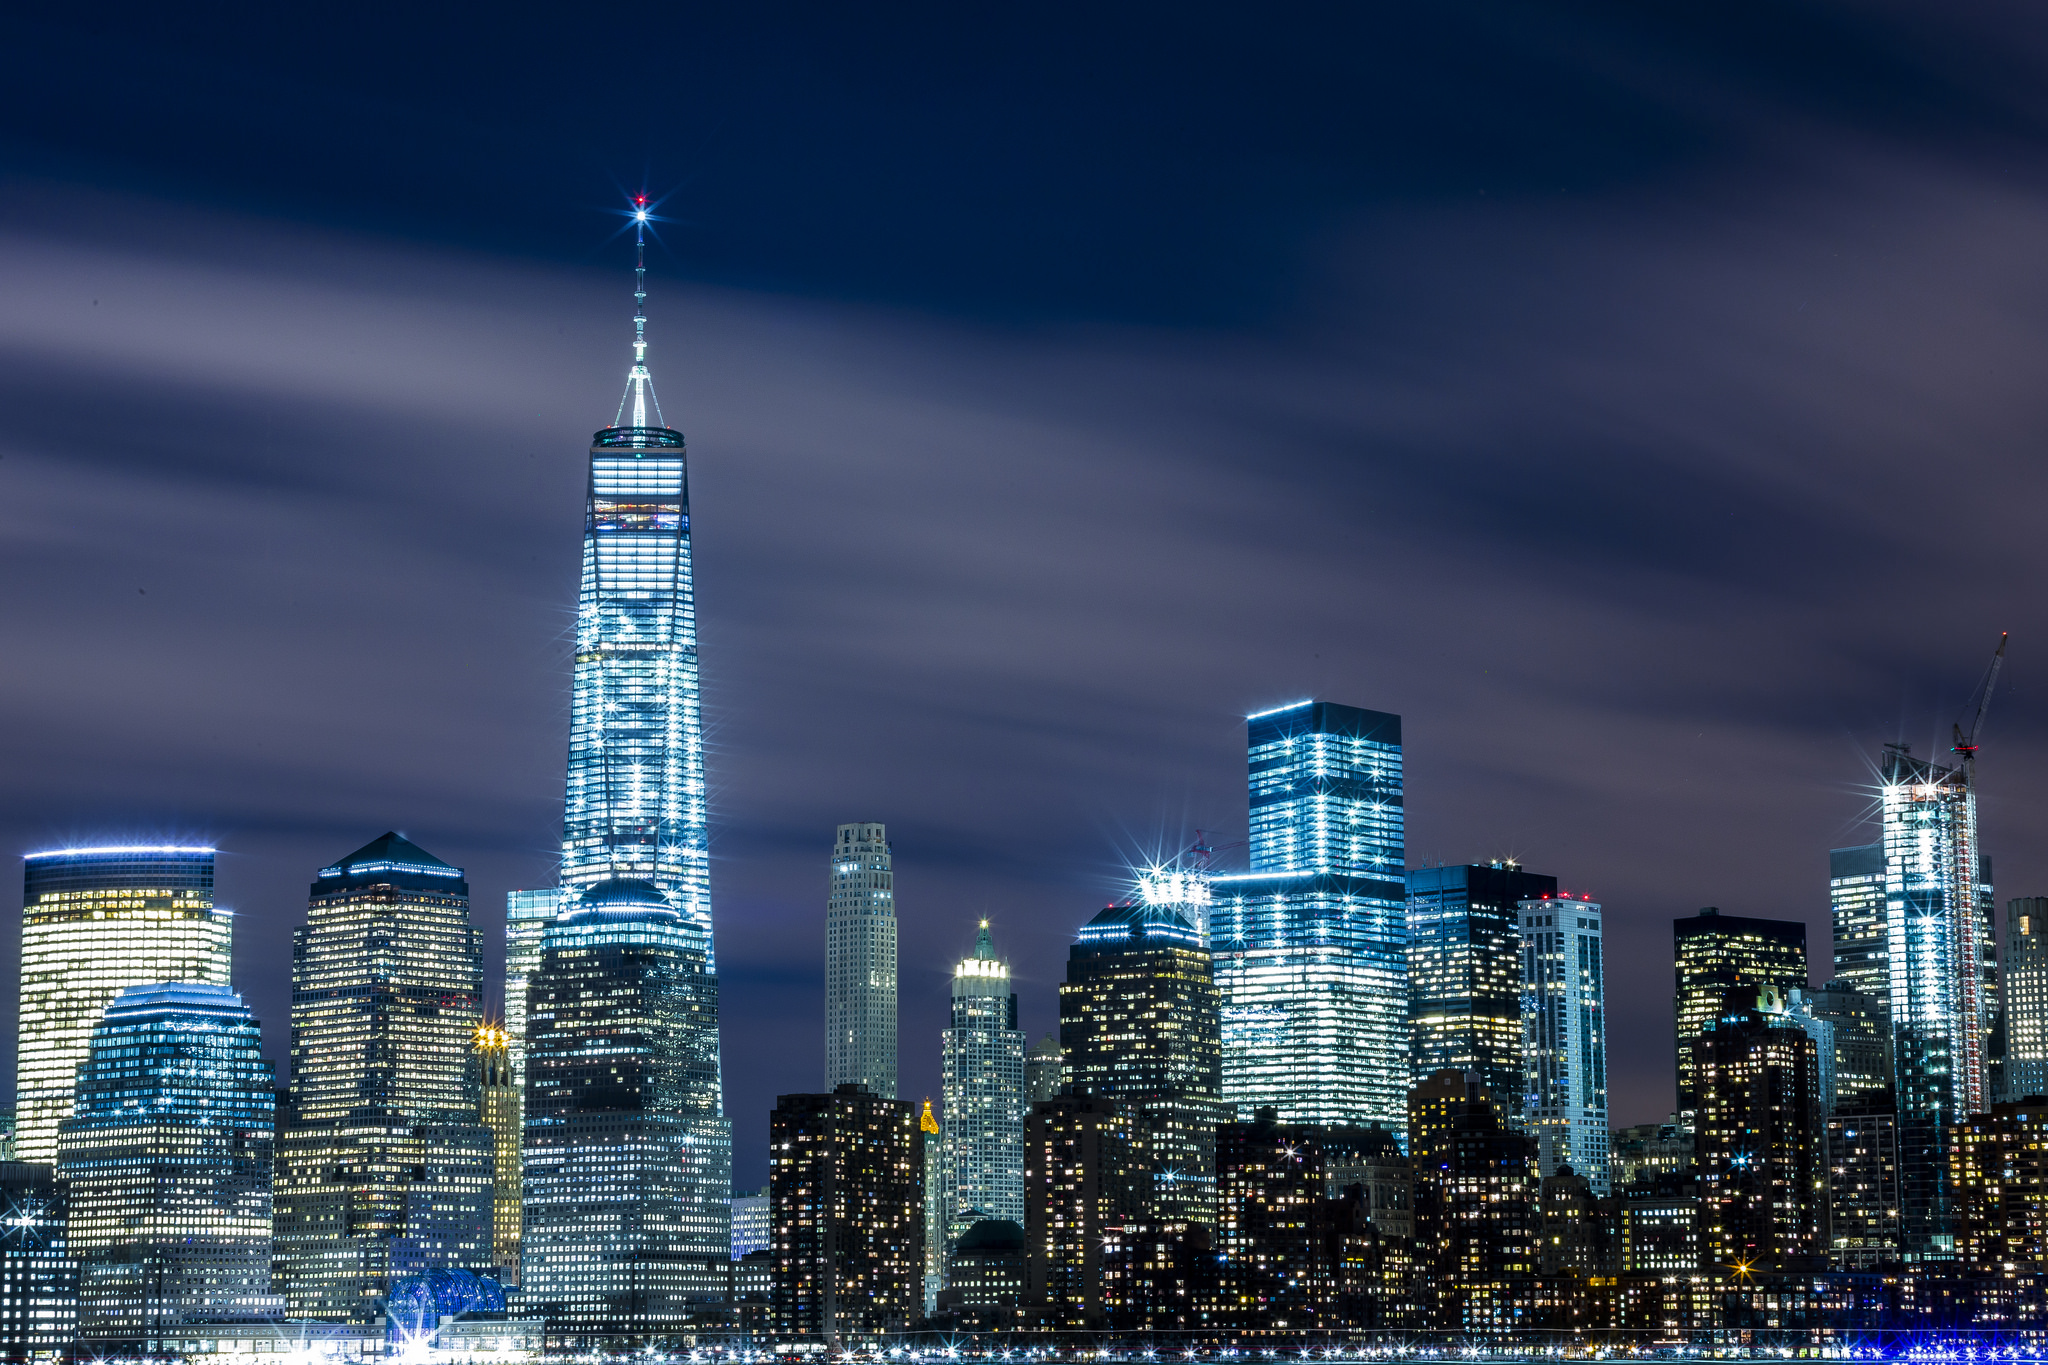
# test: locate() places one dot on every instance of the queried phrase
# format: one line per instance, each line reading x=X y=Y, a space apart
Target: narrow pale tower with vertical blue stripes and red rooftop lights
x=1566 y=1037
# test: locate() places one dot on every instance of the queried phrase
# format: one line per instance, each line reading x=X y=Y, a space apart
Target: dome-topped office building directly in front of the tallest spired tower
x=622 y=1145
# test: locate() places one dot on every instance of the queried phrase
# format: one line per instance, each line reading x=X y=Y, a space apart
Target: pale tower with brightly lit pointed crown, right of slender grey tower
x=982 y=1090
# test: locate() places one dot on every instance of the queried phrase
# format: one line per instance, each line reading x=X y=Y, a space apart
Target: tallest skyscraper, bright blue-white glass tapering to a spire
x=636 y=803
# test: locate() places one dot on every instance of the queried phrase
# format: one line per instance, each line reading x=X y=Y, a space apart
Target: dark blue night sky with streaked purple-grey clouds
x=1641 y=400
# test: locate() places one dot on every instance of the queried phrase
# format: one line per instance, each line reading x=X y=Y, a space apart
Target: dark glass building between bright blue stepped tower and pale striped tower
x=1465 y=971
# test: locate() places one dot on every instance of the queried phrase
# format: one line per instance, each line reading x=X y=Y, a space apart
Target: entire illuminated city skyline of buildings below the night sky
x=1330 y=1094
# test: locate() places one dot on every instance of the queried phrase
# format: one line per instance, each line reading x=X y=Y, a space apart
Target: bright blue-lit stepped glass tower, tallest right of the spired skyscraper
x=1312 y=944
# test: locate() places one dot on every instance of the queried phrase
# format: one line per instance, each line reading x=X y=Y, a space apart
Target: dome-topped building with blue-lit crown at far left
x=167 y=1155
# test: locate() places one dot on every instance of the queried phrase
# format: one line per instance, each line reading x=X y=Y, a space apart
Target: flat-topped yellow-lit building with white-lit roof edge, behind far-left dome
x=93 y=922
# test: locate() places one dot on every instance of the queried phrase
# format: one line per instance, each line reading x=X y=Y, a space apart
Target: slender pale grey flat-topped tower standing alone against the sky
x=861 y=975
